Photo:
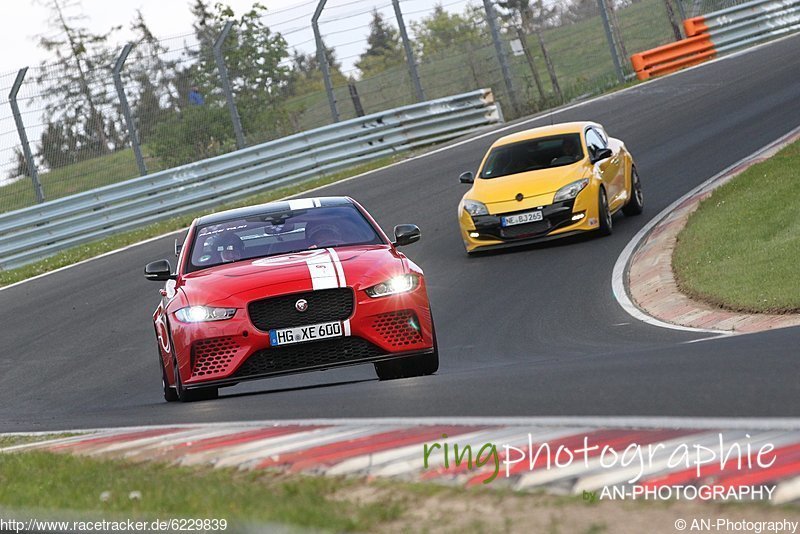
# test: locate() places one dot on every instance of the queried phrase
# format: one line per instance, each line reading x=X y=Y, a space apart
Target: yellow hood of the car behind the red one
x=530 y=184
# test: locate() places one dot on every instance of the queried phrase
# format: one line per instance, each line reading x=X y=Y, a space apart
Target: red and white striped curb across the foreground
x=574 y=454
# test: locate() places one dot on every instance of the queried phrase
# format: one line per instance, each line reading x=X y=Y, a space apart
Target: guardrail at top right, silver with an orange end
x=719 y=32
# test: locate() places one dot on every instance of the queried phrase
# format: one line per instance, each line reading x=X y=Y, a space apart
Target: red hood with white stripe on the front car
x=237 y=283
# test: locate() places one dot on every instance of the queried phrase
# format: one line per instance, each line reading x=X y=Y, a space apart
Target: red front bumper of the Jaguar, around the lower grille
x=226 y=352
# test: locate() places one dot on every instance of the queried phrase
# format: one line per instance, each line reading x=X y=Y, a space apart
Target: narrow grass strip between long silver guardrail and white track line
x=90 y=250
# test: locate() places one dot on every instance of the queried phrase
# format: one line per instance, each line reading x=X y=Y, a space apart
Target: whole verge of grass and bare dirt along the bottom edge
x=83 y=488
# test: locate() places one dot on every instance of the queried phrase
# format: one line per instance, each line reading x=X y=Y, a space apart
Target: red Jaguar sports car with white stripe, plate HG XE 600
x=287 y=287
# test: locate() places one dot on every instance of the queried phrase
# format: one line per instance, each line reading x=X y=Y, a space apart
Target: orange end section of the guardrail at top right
x=673 y=56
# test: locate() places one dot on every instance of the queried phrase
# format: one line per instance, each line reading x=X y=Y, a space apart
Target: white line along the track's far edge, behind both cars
x=509 y=126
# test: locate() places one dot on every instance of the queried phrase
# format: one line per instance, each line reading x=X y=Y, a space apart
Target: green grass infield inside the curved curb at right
x=740 y=249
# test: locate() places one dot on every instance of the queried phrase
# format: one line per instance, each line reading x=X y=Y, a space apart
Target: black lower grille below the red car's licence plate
x=333 y=352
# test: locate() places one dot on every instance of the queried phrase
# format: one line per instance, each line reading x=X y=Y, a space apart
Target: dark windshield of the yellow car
x=532 y=155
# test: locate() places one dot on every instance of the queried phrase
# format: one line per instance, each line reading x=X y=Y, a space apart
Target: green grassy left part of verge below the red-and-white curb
x=63 y=482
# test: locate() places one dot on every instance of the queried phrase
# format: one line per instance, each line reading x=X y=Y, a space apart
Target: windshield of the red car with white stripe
x=280 y=232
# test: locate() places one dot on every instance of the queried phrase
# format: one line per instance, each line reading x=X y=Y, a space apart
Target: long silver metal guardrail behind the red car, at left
x=33 y=233
